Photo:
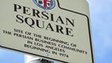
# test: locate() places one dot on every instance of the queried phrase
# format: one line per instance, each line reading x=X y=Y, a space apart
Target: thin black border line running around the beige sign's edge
x=57 y=59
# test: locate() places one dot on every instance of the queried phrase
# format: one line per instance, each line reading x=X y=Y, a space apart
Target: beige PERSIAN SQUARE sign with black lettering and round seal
x=58 y=30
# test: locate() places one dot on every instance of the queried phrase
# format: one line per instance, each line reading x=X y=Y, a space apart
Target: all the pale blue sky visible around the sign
x=101 y=16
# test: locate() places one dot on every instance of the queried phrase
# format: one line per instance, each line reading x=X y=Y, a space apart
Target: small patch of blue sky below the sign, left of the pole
x=8 y=56
